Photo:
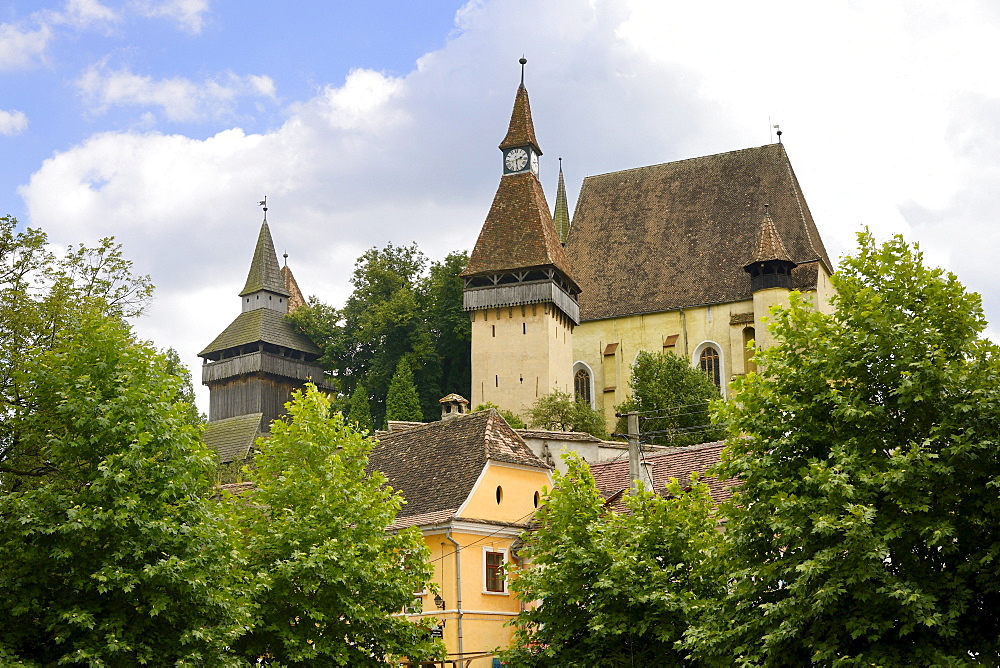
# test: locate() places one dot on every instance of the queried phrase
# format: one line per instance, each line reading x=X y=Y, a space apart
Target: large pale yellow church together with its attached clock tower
x=686 y=256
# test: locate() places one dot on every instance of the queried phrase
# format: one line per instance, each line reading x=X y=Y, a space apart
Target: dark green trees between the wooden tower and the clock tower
x=401 y=306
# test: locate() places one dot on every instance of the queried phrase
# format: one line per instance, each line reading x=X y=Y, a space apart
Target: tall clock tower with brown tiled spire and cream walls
x=519 y=289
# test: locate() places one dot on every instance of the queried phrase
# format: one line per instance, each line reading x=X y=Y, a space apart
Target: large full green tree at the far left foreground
x=116 y=554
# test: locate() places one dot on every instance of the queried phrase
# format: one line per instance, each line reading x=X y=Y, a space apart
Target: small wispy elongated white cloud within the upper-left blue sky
x=180 y=99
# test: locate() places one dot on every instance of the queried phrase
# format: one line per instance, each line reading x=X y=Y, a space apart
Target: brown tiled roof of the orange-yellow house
x=436 y=465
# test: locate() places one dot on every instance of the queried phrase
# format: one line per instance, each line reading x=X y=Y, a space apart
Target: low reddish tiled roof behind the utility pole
x=613 y=477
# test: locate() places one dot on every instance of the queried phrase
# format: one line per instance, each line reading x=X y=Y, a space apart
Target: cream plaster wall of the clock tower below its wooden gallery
x=520 y=353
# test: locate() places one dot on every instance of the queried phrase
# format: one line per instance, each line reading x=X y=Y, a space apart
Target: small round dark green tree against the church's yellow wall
x=673 y=401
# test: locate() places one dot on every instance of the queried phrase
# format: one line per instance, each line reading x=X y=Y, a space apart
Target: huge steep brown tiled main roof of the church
x=679 y=234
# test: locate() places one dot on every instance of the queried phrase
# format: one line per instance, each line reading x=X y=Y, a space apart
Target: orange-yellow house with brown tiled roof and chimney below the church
x=472 y=486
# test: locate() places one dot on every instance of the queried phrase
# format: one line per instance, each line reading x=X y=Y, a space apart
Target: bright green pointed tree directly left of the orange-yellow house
x=331 y=578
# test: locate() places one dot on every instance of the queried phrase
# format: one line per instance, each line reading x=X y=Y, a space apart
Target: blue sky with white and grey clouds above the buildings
x=163 y=122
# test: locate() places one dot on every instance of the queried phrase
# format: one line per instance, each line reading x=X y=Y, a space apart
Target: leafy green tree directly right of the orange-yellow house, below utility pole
x=615 y=589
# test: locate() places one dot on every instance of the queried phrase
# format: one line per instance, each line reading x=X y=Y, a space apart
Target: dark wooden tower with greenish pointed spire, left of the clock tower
x=255 y=363
